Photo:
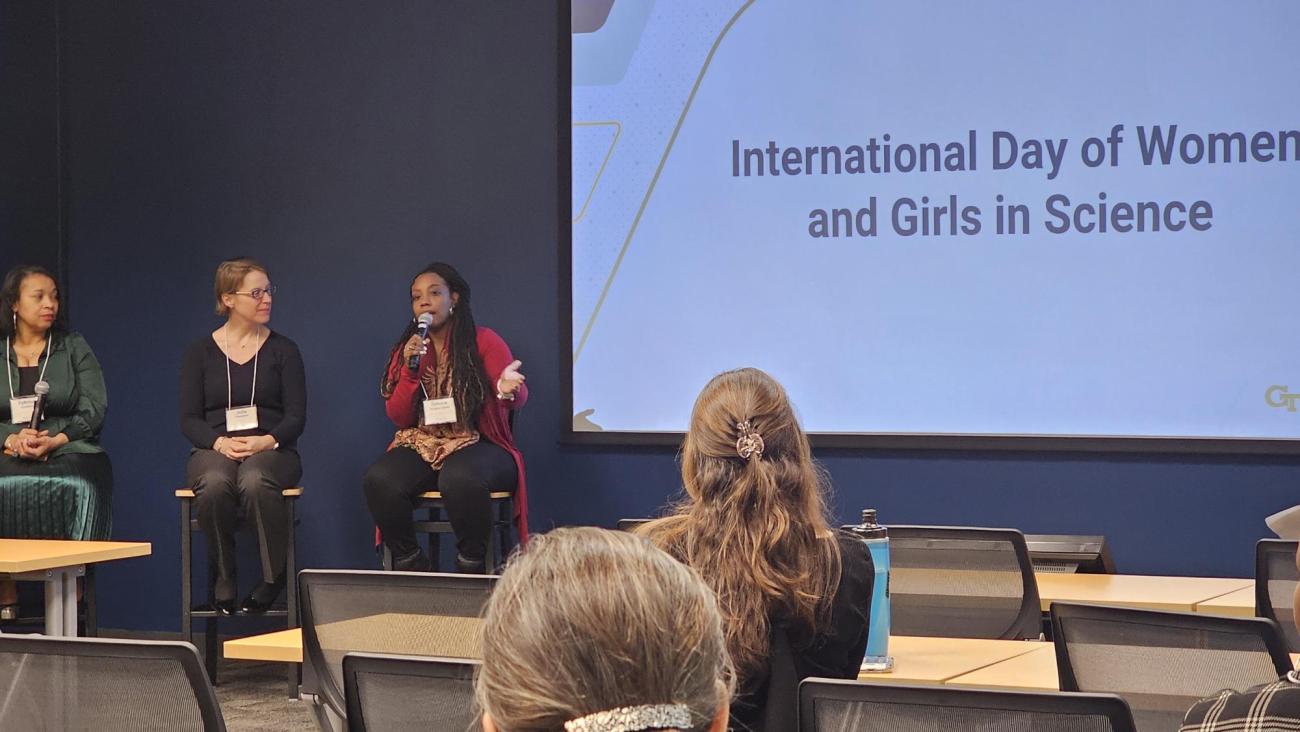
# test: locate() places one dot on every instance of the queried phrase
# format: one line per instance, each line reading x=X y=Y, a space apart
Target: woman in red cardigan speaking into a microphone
x=449 y=395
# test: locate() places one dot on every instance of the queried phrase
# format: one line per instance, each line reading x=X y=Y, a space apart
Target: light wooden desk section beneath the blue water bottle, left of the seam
x=934 y=661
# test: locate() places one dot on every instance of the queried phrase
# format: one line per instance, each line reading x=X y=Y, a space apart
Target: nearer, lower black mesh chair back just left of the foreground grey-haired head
x=405 y=694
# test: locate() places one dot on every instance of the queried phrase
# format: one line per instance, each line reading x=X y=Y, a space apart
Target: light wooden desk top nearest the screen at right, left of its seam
x=1136 y=591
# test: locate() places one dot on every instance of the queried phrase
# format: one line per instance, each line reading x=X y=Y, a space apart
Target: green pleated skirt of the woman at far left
x=66 y=497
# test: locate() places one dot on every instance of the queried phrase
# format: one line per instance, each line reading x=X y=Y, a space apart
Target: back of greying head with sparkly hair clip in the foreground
x=592 y=631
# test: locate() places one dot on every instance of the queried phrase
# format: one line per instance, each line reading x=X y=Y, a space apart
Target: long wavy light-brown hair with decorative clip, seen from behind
x=753 y=526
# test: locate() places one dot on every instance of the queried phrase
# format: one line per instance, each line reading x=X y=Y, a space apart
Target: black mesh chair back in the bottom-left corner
x=50 y=683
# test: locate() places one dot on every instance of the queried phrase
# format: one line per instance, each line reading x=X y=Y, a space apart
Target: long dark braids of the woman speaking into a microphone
x=469 y=380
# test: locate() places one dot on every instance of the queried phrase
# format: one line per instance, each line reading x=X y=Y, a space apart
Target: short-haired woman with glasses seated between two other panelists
x=244 y=405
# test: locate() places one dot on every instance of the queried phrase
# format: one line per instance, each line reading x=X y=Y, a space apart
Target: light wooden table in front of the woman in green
x=59 y=564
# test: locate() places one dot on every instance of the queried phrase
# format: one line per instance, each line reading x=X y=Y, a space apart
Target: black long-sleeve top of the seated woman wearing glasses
x=281 y=392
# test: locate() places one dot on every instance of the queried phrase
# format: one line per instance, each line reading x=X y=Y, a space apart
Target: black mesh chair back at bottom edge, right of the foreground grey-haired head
x=833 y=705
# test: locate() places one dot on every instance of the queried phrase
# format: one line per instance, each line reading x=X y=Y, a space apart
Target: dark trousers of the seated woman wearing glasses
x=224 y=490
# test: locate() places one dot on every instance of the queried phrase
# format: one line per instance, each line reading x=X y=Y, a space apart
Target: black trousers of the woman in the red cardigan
x=466 y=479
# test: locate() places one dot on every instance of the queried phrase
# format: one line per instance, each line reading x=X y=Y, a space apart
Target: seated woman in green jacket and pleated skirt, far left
x=55 y=480
